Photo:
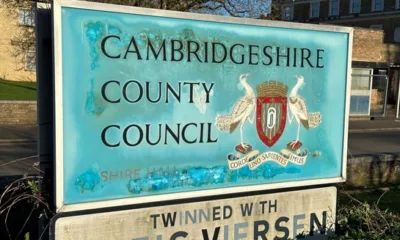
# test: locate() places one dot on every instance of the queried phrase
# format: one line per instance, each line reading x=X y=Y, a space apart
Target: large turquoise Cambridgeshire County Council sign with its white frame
x=156 y=105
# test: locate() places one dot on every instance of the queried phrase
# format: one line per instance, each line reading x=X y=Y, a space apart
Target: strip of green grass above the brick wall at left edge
x=13 y=90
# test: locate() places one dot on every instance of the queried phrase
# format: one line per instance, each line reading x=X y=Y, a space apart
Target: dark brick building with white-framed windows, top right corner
x=376 y=14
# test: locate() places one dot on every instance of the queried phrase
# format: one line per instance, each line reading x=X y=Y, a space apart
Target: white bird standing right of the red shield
x=298 y=108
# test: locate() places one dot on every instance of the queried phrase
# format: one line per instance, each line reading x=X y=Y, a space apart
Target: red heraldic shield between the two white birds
x=271 y=118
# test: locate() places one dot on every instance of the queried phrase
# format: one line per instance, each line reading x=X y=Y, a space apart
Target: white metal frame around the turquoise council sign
x=59 y=162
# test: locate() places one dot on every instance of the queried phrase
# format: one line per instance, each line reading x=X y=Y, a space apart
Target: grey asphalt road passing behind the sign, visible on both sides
x=359 y=143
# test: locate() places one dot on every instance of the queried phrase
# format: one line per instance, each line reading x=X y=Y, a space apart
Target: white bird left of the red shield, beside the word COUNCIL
x=240 y=113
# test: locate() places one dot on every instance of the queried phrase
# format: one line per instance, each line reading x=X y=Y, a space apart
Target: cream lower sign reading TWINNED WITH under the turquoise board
x=283 y=215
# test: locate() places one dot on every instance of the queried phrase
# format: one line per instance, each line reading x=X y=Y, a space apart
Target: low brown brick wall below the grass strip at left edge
x=18 y=112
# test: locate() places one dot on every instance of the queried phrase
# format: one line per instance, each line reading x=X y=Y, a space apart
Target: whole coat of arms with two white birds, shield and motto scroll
x=272 y=108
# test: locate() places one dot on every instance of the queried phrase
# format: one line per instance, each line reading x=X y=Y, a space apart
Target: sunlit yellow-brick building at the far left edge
x=12 y=67
